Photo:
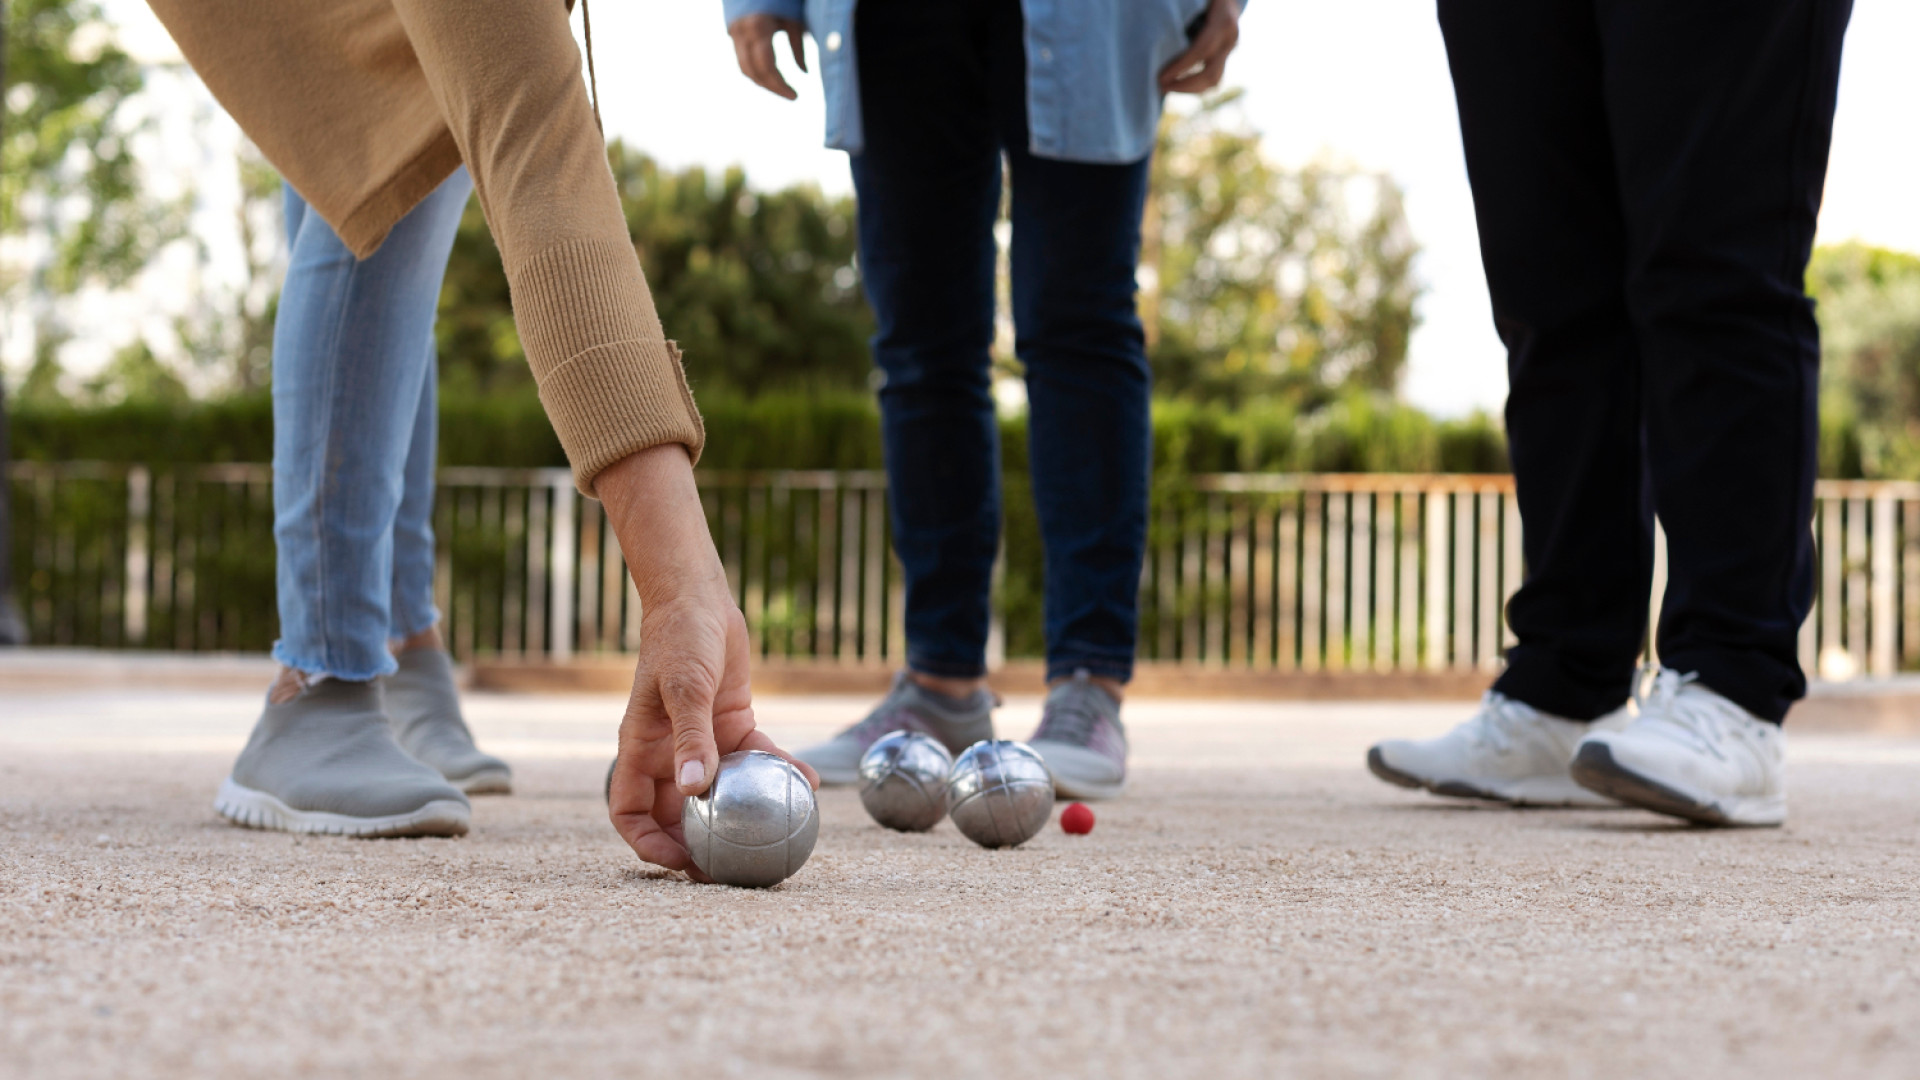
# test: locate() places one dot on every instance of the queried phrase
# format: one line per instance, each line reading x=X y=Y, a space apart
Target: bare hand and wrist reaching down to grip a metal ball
x=692 y=697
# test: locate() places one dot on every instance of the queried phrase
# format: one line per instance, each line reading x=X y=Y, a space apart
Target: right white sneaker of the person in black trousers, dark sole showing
x=1691 y=754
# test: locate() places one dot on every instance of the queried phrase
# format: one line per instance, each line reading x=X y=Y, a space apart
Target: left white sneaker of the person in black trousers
x=1508 y=752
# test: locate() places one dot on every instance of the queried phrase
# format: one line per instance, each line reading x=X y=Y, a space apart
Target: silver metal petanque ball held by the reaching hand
x=756 y=825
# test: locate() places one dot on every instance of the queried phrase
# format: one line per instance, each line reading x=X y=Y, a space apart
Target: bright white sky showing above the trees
x=1360 y=80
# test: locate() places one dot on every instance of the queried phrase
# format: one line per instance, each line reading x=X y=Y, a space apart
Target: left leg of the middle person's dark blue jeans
x=928 y=191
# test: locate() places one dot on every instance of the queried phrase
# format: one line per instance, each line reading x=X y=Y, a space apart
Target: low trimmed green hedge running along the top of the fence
x=796 y=431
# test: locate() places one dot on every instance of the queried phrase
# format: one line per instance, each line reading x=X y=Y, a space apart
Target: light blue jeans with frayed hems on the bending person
x=354 y=433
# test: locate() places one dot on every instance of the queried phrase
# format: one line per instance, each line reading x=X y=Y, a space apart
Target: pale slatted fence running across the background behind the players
x=1372 y=574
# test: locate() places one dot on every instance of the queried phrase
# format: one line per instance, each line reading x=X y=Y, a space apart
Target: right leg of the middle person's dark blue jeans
x=1076 y=249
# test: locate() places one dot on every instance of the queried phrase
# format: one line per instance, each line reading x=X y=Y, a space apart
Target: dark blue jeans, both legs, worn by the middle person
x=944 y=99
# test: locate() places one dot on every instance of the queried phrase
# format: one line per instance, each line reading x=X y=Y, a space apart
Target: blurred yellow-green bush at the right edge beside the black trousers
x=1869 y=307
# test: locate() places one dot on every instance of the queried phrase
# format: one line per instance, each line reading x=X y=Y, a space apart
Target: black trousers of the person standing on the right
x=1646 y=178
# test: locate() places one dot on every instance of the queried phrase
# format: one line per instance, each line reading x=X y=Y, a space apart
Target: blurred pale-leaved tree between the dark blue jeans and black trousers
x=1268 y=283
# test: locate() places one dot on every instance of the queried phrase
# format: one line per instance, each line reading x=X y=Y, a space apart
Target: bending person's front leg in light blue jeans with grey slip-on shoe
x=352 y=349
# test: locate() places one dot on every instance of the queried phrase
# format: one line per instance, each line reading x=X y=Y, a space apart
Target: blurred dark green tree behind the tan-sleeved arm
x=759 y=289
